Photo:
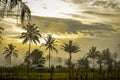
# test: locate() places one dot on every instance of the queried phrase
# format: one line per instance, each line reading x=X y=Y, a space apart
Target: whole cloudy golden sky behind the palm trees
x=87 y=22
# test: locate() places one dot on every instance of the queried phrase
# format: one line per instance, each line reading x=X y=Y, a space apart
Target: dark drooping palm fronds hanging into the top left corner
x=22 y=9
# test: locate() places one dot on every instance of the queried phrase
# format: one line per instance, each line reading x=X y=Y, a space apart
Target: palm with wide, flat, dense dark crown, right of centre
x=70 y=48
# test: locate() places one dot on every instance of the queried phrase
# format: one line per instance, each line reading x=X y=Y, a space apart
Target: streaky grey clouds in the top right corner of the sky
x=109 y=4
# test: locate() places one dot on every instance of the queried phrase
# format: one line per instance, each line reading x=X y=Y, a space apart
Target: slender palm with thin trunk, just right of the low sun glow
x=50 y=46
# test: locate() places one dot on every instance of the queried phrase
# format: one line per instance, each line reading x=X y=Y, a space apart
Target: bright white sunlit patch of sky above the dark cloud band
x=51 y=8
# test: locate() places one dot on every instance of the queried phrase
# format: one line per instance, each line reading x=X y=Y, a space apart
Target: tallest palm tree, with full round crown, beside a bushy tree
x=31 y=35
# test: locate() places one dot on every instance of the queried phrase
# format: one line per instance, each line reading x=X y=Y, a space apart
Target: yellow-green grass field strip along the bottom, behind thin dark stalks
x=58 y=76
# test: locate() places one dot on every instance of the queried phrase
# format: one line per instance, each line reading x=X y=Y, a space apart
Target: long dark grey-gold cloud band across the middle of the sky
x=57 y=25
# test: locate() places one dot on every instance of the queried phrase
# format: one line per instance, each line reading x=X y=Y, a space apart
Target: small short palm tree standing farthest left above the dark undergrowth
x=9 y=52
